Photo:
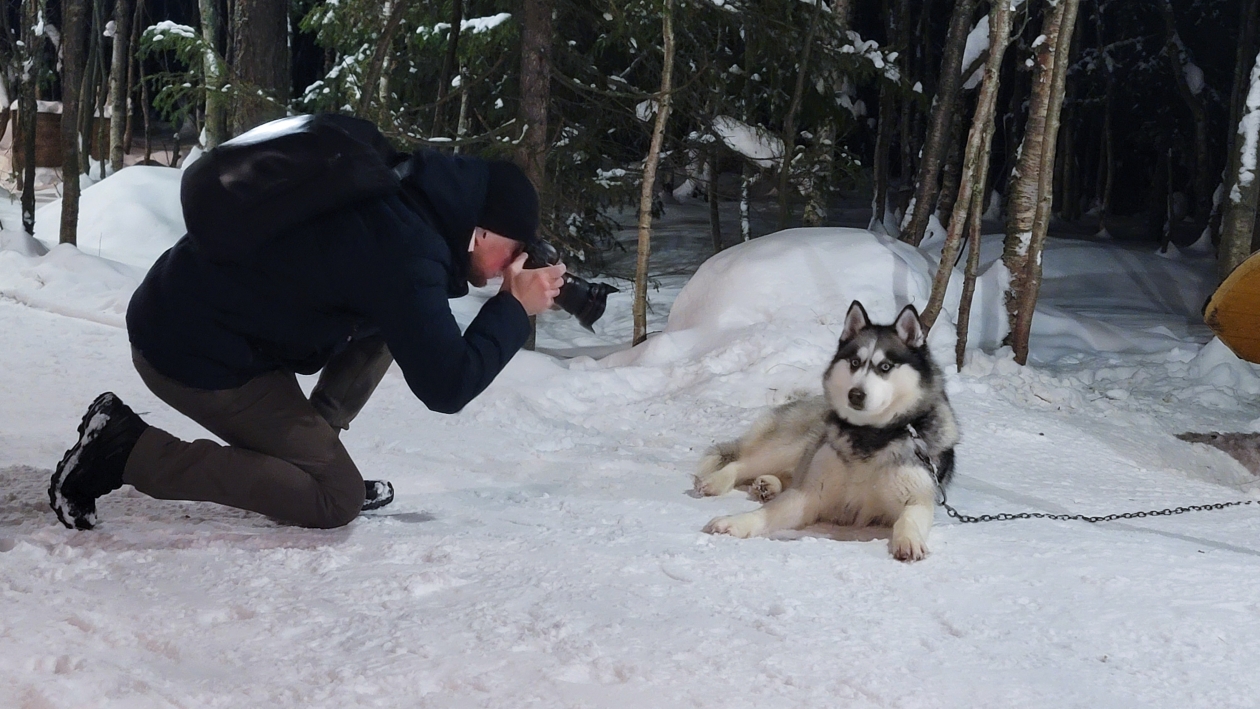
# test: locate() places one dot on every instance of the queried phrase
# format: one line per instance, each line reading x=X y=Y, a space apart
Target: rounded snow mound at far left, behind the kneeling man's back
x=130 y=217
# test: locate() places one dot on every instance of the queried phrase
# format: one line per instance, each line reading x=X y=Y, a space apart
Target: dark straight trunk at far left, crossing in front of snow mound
x=75 y=23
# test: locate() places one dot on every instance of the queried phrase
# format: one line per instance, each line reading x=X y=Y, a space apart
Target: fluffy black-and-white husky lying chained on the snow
x=873 y=450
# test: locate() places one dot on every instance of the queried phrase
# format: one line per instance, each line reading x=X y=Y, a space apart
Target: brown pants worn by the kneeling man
x=284 y=457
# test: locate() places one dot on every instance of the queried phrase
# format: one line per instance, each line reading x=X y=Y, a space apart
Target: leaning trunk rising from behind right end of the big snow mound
x=943 y=116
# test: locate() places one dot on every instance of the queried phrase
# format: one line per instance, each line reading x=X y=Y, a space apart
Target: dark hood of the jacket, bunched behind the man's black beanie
x=450 y=193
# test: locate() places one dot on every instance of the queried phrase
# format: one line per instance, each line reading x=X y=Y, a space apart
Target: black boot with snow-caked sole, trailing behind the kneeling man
x=94 y=467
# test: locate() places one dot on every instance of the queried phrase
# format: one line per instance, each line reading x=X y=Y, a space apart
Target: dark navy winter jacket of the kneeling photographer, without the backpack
x=386 y=265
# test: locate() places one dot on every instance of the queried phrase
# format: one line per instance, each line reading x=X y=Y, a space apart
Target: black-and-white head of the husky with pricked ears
x=880 y=372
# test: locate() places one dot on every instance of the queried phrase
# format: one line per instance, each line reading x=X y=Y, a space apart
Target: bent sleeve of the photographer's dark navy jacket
x=406 y=298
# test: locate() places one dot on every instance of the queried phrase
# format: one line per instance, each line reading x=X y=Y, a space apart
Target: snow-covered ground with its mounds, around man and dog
x=545 y=548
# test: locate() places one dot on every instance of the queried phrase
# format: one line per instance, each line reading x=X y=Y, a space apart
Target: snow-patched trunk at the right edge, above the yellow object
x=1240 y=211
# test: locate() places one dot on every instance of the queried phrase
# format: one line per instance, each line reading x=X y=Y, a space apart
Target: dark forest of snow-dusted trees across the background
x=1121 y=119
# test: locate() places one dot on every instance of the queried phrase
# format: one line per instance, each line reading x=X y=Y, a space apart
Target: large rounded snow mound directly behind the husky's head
x=788 y=293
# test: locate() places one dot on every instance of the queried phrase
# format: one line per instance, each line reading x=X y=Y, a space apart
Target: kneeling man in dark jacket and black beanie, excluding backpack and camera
x=220 y=339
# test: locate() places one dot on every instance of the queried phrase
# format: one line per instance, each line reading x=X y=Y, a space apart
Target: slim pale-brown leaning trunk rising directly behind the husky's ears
x=970 y=206
